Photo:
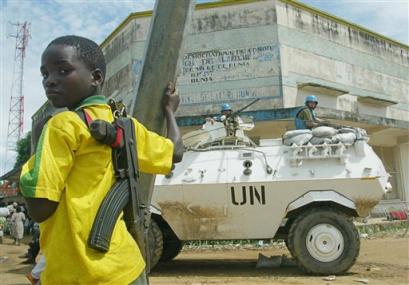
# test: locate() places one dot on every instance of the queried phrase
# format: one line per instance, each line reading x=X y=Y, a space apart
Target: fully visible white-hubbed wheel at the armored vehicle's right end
x=324 y=241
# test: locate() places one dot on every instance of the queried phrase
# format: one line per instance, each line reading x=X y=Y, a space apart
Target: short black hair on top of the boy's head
x=88 y=51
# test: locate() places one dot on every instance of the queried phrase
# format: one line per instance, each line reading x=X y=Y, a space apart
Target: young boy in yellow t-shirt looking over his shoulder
x=69 y=175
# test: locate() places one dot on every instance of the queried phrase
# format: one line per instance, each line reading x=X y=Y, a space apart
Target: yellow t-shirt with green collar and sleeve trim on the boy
x=71 y=168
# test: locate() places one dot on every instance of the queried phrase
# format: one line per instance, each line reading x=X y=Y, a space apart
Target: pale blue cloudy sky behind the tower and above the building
x=96 y=19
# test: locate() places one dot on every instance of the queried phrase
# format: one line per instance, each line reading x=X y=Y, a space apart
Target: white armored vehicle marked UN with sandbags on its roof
x=227 y=187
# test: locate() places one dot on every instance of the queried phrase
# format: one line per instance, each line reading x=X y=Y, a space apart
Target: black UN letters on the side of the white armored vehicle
x=248 y=195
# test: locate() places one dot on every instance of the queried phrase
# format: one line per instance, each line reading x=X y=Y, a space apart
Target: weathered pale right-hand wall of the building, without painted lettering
x=318 y=49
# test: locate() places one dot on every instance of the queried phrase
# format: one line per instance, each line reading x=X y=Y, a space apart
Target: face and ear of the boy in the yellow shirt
x=66 y=78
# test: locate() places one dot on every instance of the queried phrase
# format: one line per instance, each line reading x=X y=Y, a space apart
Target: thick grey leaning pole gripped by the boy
x=168 y=25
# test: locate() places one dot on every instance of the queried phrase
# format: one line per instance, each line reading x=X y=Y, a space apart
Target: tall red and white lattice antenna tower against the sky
x=16 y=111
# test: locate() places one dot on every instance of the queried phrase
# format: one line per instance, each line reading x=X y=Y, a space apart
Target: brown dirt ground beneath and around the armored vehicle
x=383 y=260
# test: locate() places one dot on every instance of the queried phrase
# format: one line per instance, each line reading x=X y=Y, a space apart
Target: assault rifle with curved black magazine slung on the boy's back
x=124 y=194
